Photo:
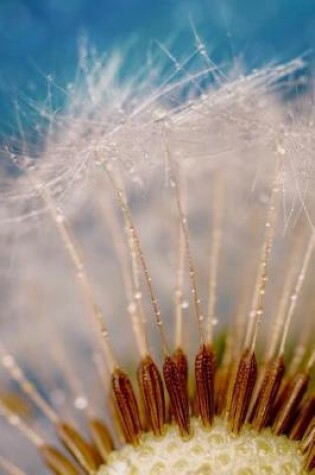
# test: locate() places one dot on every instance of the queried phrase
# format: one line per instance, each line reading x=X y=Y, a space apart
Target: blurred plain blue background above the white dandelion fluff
x=40 y=38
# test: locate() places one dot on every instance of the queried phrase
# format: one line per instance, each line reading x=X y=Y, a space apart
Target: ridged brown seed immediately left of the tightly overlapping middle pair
x=151 y=386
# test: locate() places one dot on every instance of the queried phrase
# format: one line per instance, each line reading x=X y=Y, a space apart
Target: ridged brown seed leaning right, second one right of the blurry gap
x=273 y=374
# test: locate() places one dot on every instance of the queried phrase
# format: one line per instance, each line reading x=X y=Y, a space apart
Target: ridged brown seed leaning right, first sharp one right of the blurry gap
x=243 y=386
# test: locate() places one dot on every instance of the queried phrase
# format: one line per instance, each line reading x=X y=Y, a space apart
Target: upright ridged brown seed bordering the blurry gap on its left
x=204 y=375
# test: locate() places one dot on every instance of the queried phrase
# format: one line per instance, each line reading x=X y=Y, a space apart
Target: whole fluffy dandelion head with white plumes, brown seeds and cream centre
x=157 y=277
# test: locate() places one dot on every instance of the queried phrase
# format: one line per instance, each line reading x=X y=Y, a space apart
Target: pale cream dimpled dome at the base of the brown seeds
x=208 y=451
